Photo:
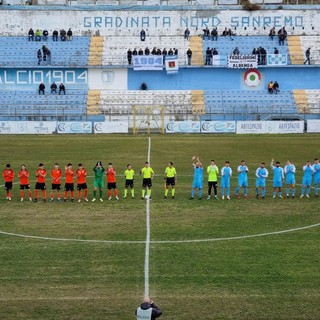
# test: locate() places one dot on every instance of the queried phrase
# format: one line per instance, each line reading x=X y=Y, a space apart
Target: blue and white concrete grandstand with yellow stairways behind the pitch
x=100 y=83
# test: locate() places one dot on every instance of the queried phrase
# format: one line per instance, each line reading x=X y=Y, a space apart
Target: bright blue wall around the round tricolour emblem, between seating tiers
x=304 y=77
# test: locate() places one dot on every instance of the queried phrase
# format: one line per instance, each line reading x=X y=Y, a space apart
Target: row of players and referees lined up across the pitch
x=284 y=174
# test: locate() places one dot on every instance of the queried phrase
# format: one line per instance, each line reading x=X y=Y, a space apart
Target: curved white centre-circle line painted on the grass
x=162 y=241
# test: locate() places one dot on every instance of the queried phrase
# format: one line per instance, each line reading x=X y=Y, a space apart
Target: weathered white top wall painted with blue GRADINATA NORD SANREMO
x=119 y=21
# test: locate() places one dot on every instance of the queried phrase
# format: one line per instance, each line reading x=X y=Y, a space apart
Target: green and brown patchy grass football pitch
x=274 y=276
